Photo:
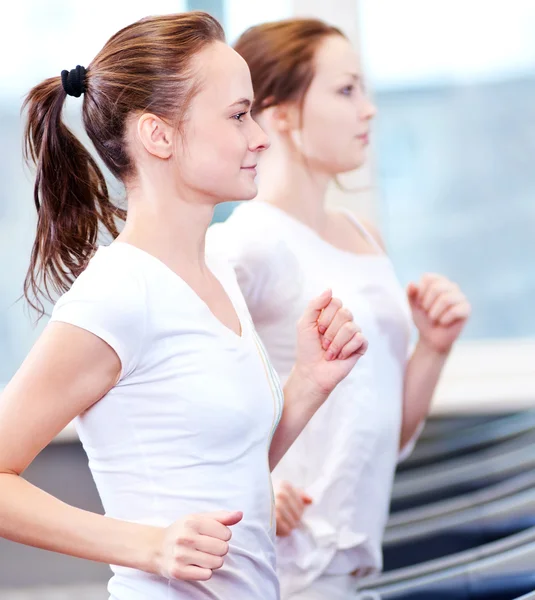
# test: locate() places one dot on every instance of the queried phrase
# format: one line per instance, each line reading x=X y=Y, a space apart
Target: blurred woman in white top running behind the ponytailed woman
x=333 y=487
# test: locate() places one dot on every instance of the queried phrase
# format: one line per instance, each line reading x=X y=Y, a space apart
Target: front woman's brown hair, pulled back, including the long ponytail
x=145 y=66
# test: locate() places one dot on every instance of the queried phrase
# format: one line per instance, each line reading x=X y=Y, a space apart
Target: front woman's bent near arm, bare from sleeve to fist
x=67 y=371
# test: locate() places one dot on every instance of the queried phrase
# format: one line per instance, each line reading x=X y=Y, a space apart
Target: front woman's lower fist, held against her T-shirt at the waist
x=191 y=549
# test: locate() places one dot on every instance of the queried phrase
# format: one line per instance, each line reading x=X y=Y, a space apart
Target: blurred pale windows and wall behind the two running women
x=450 y=182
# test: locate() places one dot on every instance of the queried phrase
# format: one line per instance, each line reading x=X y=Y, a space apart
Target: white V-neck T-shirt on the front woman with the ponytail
x=188 y=426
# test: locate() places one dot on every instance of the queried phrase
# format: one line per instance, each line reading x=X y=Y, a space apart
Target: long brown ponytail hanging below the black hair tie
x=70 y=195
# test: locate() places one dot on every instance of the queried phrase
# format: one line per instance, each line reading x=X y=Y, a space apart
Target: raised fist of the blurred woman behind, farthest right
x=439 y=310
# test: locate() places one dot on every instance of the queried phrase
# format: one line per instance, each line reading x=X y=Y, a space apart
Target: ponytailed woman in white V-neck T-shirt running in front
x=150 y=347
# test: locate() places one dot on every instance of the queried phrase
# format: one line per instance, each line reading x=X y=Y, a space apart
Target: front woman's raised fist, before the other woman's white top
x=329 y=343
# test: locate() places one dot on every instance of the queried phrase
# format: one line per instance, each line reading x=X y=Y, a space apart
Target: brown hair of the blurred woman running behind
x=280 y=56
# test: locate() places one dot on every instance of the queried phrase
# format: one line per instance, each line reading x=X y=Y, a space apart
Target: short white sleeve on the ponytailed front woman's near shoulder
x=107 y=300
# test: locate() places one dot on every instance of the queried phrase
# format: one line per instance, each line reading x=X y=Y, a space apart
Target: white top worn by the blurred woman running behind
x=346 y=456
